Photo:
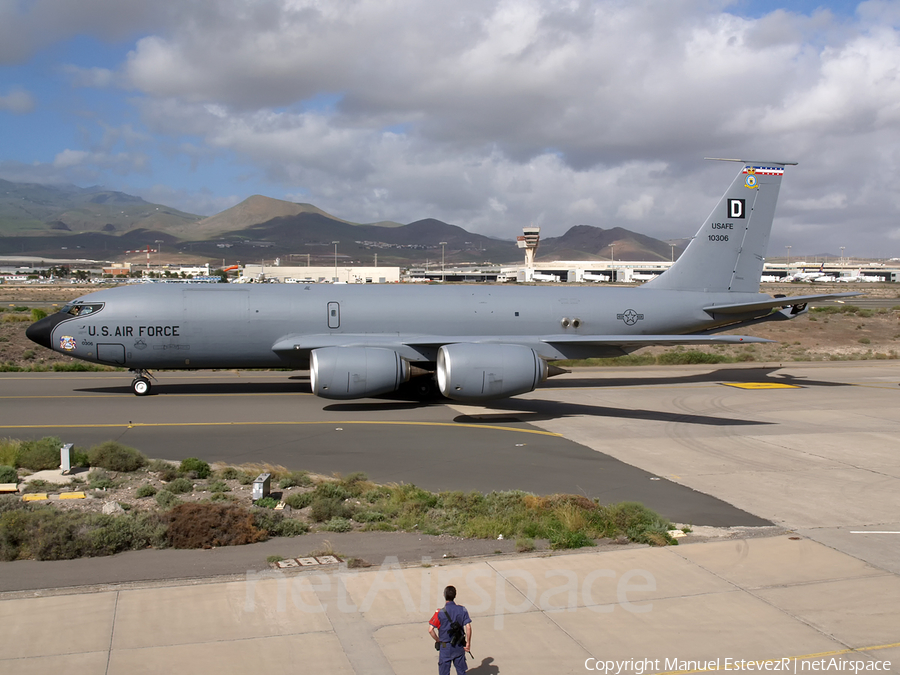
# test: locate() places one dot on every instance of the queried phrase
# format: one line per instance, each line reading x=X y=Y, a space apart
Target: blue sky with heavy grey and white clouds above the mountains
x=488 y=114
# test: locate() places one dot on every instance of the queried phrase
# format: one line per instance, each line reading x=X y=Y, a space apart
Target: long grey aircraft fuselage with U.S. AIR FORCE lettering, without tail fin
x=167 y=326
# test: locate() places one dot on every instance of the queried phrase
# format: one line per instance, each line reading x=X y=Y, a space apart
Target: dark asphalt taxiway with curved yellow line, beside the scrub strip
x=264 y=417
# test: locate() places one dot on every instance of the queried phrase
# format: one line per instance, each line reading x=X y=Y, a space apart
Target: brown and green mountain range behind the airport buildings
x=42 y=220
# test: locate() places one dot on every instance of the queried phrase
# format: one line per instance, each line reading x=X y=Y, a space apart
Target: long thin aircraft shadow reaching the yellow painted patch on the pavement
x=724 y=375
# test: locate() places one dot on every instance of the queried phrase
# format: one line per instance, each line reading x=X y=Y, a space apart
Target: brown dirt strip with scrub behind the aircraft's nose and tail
x=816 y=336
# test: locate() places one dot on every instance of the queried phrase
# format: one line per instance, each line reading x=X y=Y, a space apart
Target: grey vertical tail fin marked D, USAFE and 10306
x=728 y=251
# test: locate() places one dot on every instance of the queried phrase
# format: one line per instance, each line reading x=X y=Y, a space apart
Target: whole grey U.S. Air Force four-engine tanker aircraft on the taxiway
x=478 y=342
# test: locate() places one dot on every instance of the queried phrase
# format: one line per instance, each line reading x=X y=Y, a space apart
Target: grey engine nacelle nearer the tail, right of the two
x=480 y=372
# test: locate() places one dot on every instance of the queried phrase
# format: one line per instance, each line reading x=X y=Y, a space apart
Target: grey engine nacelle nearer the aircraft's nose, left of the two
x=355 y=372
